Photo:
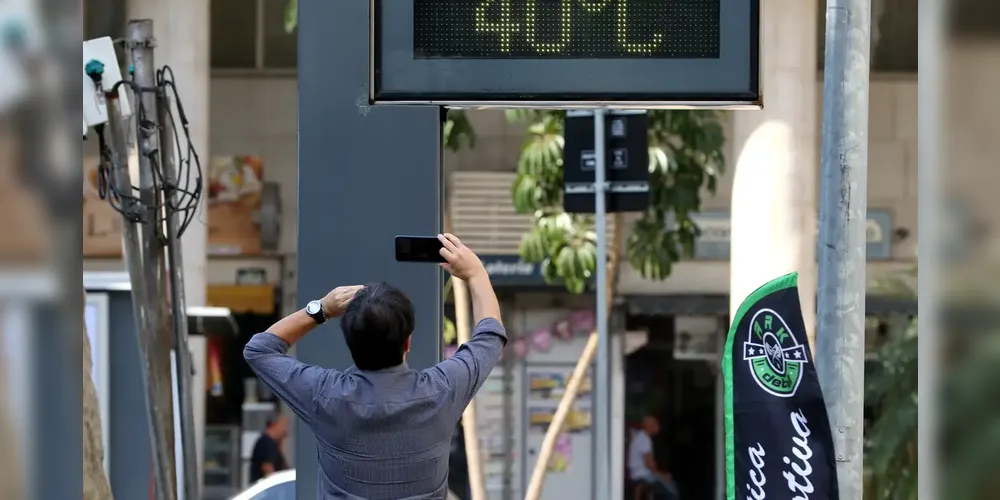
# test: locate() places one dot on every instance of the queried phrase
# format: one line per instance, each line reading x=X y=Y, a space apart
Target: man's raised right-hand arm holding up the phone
x=467 y=370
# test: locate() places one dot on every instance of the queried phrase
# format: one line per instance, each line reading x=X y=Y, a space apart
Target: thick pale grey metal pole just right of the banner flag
x=842 y=215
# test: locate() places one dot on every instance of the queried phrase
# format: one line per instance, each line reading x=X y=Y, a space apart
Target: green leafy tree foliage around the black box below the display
x=686 y=159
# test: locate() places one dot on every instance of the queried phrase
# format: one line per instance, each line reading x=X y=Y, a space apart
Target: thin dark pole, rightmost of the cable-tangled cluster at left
x=187 y=470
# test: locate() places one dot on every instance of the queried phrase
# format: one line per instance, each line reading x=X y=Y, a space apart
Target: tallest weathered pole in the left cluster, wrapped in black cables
x=159 y=341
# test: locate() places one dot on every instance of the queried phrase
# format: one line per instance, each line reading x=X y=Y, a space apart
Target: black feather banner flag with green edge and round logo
x=778 y=441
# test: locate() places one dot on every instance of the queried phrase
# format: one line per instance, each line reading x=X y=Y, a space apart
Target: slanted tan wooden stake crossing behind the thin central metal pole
x=576 y=379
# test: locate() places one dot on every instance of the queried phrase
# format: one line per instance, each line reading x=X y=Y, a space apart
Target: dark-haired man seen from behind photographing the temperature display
x=383 y=430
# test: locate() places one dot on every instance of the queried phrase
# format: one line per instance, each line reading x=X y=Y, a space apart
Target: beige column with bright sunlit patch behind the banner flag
x=774 y=193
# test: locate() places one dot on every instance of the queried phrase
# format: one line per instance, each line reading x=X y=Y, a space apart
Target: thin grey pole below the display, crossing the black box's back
x=602 y=382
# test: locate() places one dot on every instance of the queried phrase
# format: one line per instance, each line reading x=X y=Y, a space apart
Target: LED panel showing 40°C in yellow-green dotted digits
x=568 y=29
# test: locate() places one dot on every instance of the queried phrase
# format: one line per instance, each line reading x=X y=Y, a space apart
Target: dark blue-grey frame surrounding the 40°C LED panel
x=732 y=81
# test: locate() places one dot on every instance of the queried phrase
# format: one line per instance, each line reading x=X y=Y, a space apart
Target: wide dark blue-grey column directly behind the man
x=365 y=175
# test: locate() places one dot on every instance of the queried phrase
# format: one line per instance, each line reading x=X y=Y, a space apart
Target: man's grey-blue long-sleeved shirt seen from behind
x=381 y=434
